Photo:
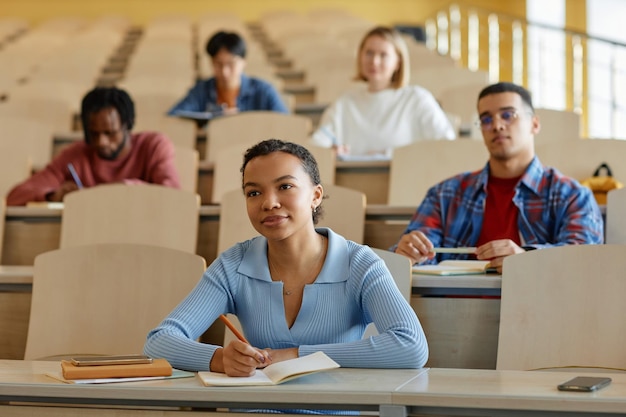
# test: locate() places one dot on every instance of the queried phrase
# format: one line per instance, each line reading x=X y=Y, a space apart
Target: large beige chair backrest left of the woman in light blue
x=104 y=298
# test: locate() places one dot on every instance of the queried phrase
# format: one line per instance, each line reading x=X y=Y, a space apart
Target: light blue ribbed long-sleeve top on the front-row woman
x=353 y=289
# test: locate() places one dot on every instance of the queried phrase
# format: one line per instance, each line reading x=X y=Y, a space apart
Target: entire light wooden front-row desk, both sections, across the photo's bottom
x=390 y=392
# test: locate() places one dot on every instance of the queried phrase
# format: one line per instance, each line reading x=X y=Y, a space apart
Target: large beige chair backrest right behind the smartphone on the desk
x=563 y=307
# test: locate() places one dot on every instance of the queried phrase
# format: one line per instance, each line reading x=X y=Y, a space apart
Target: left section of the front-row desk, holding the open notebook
x=344 y=389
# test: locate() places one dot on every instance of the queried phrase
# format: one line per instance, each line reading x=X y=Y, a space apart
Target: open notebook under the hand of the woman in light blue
x=274 y=374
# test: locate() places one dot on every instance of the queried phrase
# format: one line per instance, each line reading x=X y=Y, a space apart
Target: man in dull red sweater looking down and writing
x=109 y=154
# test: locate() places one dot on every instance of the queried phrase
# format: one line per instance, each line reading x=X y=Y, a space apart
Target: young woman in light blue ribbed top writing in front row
x=295 y=289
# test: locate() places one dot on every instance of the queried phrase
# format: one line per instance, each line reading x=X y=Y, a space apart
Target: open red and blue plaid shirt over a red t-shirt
x=554 y=210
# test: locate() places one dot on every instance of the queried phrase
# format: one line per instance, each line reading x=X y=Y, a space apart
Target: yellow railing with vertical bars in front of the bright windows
x=514 y=49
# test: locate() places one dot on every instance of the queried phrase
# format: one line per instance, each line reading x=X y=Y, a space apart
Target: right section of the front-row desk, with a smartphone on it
x=506 y=393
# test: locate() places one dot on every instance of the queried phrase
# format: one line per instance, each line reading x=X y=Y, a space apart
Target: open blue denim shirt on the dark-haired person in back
x=254 y=94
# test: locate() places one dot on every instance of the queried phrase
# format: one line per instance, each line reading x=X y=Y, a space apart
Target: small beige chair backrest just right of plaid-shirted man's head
x=558 y=125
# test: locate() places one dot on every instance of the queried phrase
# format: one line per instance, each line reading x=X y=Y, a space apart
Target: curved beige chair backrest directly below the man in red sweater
x=144 y=214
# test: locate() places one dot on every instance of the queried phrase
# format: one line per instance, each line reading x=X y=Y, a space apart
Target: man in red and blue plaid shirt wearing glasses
x=513 y=204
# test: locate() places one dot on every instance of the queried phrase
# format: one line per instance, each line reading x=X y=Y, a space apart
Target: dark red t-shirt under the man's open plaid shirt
x=500 y=214
